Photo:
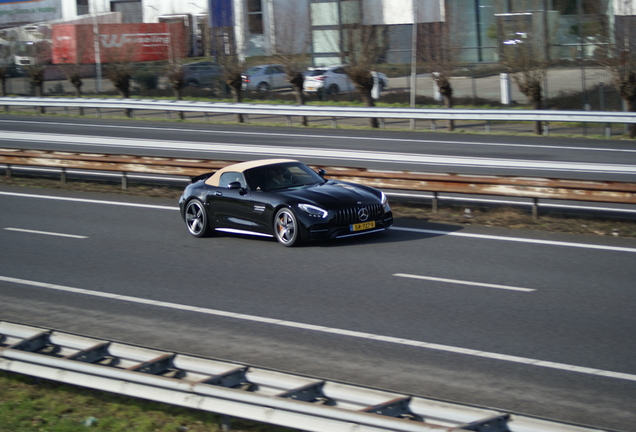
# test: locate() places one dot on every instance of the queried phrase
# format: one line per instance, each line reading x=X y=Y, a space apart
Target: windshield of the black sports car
x=281 y=176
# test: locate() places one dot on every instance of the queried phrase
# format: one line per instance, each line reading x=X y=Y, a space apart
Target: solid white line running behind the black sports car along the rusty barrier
x=414 y=230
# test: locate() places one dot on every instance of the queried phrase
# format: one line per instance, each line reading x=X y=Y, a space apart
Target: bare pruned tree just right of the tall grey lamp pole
x=438 y=49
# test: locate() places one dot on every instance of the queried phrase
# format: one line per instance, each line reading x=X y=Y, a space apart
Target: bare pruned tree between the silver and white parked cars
x=291 y=51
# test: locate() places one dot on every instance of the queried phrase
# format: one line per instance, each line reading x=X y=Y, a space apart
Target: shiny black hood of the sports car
x=335 y=195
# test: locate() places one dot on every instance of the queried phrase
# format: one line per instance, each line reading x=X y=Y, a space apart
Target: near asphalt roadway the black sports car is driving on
x=537 y=323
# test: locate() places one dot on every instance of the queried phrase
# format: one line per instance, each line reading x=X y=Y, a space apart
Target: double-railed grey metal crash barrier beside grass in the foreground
x=238 y=390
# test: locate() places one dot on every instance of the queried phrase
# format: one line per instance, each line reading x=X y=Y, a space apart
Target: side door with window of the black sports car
x=231 y=205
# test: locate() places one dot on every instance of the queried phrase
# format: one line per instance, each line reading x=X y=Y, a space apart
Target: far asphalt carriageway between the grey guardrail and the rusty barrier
x=416 y=151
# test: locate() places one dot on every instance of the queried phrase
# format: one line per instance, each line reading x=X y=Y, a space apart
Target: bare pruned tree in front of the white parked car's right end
x=362 y=46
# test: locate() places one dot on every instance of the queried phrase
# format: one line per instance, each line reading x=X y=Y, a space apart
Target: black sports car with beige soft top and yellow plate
x=282 y=198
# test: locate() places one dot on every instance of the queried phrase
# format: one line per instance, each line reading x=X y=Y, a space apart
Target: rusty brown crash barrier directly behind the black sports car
x=525 y=187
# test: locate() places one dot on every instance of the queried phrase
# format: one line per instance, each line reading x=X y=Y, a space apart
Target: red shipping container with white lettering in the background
x=135 y=42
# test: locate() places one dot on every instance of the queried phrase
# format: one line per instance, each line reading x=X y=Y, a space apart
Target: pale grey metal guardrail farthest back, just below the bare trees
x=290 y=111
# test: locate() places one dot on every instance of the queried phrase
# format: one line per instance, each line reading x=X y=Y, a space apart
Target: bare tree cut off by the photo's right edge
x=620 y=56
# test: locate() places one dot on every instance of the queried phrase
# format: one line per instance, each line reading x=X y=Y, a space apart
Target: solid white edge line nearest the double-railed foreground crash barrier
x=330 y=330
